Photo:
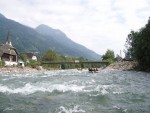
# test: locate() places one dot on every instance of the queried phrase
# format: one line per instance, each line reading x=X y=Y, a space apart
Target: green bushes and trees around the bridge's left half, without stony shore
x=52 y=56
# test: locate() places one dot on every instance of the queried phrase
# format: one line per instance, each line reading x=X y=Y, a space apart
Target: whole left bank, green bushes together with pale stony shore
x=50 y=55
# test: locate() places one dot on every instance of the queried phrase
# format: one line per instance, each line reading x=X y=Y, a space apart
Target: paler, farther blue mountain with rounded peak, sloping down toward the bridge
x=66 y=45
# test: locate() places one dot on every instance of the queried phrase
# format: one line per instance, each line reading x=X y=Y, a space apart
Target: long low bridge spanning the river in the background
x=77 y=62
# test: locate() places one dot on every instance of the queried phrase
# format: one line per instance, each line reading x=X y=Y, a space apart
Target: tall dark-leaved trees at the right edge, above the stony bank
x=138 y=47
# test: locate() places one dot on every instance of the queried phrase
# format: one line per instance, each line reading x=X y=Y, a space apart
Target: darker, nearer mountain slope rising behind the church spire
x=23 y=38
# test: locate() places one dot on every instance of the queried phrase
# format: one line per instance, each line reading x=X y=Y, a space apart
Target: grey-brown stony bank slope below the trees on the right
x=123 y=65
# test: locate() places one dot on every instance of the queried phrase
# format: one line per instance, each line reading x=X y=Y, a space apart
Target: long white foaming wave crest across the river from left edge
x=70 y=86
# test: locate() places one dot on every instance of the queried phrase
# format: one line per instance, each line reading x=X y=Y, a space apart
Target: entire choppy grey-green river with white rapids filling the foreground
x=73 y=91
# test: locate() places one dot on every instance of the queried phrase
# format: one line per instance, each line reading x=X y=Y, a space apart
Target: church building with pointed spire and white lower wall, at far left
x=8 y=53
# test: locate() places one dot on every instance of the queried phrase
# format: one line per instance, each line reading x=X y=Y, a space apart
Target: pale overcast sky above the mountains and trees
x=97 y=24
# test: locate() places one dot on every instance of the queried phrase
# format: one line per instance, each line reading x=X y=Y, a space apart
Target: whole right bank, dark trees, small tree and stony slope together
x=137 y=50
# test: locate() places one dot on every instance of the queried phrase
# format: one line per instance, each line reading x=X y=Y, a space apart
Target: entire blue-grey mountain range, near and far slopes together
x=41 y=39
